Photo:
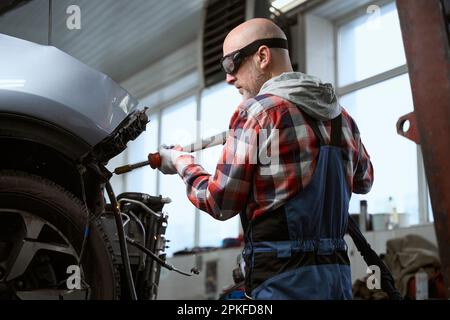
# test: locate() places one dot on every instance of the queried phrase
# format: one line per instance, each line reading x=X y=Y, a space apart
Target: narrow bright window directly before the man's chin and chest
x=217 y=106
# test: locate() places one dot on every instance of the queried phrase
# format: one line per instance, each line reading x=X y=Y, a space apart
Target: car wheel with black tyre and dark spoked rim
x=41 y=237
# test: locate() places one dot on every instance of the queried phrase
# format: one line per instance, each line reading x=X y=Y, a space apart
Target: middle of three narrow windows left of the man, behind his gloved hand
x=178 y=126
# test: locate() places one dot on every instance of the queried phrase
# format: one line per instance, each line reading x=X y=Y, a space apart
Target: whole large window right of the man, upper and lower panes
x=374 y=87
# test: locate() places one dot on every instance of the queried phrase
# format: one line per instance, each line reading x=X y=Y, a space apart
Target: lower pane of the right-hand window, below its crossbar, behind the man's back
x=376 y=110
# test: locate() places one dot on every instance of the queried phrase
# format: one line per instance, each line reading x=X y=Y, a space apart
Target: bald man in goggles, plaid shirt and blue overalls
x=289 y=164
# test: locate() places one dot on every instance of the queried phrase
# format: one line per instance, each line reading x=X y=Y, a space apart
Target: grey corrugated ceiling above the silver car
x=119 y=38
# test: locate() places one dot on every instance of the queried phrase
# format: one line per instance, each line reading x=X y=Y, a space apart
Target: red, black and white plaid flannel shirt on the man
x=271 y=125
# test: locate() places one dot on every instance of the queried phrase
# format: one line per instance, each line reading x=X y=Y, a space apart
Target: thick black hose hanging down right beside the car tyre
x=122 y=241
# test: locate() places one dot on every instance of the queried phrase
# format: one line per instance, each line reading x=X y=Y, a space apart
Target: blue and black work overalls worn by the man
x=298 y=250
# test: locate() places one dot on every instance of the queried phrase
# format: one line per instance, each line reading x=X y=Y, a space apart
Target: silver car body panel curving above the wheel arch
x=45 y=83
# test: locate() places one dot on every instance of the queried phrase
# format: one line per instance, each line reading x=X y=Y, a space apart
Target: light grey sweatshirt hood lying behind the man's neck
x=312 y=96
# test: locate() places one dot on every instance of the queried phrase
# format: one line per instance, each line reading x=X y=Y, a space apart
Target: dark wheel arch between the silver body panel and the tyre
x=38 y=147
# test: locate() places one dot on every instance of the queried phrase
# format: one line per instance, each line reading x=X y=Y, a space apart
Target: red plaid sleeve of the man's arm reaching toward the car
x=225 y=194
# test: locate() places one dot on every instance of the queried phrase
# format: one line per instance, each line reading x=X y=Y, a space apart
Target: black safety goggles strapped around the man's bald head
x=232 y=61
